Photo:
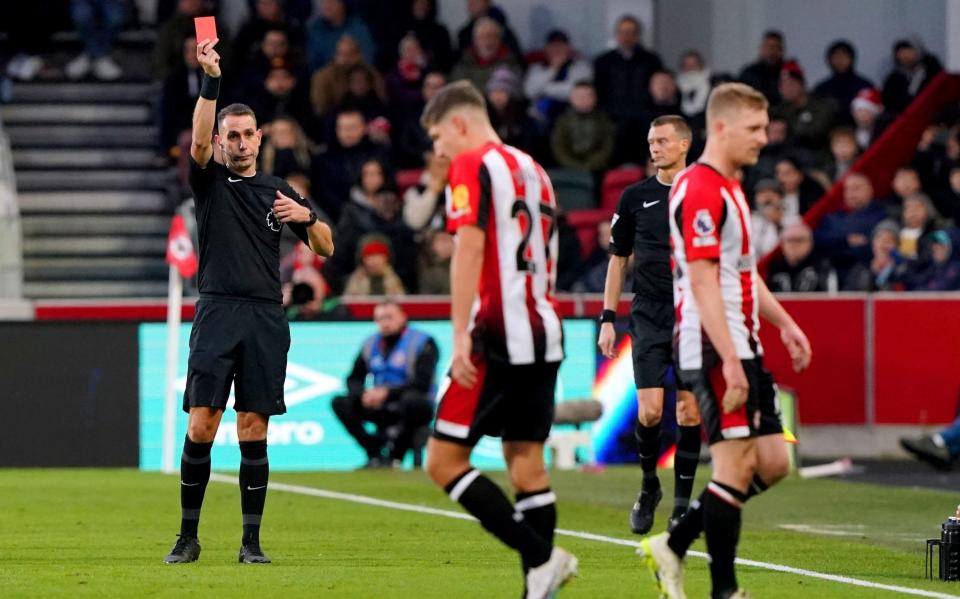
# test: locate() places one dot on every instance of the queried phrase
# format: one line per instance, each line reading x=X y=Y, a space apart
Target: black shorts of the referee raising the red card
x=241 y=343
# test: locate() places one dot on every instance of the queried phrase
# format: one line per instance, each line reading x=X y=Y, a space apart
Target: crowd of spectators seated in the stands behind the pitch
x=339 y=91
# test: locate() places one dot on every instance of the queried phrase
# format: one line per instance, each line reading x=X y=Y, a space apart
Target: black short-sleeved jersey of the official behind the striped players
x=641 y=226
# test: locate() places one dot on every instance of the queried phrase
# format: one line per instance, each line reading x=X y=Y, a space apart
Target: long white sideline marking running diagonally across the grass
x=420 y=509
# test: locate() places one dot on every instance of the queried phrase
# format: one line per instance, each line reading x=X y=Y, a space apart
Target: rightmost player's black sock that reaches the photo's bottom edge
x=721 y=524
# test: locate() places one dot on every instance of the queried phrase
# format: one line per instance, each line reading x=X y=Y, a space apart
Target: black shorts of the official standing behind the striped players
x=651 y=331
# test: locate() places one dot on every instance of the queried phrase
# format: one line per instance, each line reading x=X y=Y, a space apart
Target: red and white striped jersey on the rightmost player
x=710 y=220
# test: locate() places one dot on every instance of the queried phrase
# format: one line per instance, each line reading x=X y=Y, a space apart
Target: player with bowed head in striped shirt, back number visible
x=507 y=334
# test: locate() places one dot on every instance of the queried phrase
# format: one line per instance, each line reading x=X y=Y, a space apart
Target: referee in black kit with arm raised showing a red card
x=240 y=335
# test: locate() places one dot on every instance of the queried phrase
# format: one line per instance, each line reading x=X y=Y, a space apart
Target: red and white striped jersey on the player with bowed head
x=504 y=192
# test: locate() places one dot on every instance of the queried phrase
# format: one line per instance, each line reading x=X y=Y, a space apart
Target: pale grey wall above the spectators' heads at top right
x=727 y=31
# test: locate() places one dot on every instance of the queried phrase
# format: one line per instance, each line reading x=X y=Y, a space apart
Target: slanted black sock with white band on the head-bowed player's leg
x=482 y=498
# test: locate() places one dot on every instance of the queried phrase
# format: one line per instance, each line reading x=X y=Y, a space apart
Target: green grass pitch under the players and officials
x=103 y=533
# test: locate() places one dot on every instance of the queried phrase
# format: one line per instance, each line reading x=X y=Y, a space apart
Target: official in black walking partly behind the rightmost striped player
x=641 y=227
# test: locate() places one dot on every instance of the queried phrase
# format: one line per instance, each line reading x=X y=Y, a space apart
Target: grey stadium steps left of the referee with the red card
x=95 y=202
